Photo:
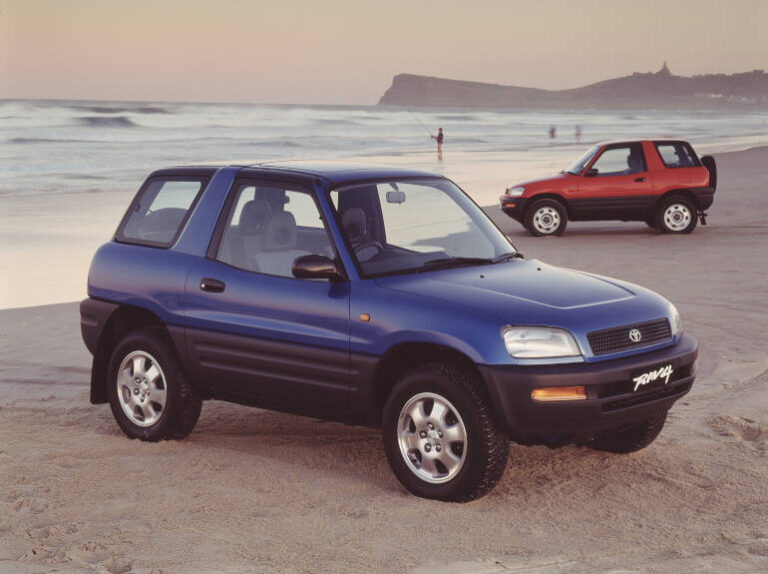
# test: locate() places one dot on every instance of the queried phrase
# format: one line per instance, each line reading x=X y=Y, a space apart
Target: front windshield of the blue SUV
x=412 y=226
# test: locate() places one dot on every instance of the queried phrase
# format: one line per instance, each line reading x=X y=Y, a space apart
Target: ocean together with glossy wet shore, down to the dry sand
x=69 y=168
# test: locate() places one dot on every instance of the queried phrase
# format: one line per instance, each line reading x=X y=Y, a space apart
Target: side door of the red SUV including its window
x=617 y=185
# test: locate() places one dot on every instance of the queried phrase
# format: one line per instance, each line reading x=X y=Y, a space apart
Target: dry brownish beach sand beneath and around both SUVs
x=256 y=491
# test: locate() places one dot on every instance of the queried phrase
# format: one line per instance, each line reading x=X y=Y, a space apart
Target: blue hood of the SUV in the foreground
x=534 y=293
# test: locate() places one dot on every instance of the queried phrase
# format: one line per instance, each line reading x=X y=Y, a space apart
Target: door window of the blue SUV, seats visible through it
x=267 y=228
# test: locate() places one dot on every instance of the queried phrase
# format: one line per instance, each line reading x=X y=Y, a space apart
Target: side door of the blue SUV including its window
x=253 y=330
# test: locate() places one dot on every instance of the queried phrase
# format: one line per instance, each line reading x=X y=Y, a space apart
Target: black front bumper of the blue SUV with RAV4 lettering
x=611 y=399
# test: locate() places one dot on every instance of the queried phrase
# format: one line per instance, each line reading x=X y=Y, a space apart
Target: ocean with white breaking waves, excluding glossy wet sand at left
x=52 y=147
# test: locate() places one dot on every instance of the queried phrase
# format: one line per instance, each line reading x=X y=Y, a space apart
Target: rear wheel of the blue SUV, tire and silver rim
x=149 y=397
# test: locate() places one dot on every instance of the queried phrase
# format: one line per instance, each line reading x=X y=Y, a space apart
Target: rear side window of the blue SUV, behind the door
x=160 y=210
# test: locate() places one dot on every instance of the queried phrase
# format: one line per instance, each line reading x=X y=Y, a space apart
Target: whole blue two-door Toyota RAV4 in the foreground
x=372 y=296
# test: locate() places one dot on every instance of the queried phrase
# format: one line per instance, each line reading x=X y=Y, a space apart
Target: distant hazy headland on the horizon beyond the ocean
x=660 y=90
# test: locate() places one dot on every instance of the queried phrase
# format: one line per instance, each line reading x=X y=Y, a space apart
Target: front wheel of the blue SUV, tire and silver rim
x=453 y=449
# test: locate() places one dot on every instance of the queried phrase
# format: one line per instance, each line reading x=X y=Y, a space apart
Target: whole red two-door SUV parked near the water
x=661 y=182
